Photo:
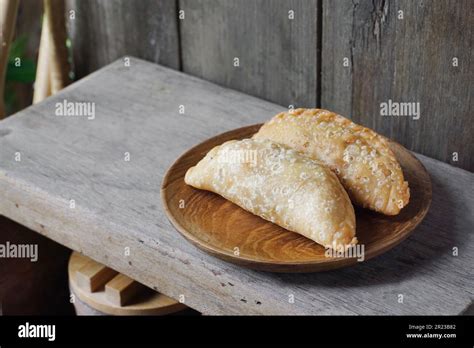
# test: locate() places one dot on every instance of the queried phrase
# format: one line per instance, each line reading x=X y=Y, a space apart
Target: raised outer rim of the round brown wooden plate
x=287 y=266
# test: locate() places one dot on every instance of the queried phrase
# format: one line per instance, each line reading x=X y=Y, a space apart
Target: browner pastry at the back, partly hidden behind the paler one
x=360 y=157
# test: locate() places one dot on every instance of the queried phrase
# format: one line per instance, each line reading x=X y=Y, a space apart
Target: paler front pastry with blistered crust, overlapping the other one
x=280 y=185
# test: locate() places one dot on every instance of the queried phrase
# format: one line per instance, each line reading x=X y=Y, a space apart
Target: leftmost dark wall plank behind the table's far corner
x=104 y=30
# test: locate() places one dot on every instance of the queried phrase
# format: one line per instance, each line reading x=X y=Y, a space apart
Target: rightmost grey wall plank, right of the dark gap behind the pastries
x=405 y=60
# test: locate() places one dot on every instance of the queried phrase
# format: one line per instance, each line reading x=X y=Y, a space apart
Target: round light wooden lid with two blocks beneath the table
x=100 y=290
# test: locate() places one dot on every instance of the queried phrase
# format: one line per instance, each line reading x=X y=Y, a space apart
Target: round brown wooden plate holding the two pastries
x=225 y=230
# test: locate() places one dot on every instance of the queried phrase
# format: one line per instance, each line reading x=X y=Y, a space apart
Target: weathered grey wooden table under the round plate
x=116 y=216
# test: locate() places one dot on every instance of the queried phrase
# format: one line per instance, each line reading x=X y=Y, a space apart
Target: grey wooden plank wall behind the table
x=300 y=61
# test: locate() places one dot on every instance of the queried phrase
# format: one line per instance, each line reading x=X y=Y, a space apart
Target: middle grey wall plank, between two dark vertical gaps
x=277 y=55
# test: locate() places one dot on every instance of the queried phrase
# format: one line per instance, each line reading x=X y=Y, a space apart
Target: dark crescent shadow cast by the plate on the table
x=433 y=239
